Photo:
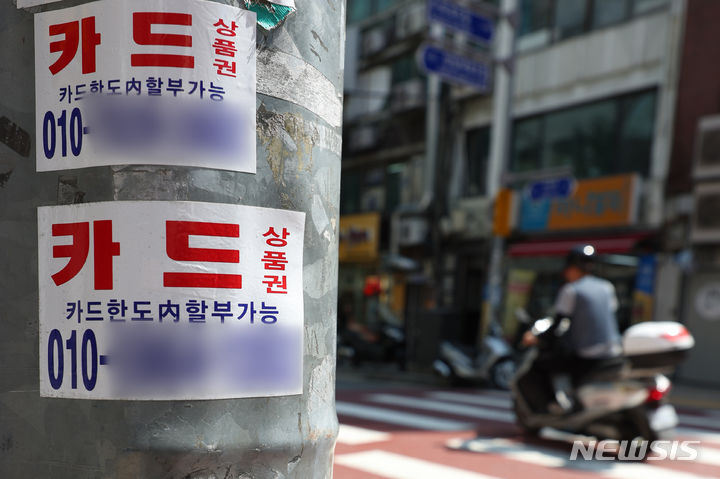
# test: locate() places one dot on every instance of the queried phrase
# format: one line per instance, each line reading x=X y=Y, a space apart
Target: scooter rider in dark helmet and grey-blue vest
x=592 y=339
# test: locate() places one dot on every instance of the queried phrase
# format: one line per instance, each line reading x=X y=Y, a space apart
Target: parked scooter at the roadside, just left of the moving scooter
x=494 y=362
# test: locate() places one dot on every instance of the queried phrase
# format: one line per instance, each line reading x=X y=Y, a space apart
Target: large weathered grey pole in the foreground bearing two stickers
x=299 y=113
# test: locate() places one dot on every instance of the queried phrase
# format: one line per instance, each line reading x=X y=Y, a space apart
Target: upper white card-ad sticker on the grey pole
x=165 y=82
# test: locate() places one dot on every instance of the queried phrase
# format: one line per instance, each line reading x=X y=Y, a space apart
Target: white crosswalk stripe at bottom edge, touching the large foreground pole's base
x=398 y=466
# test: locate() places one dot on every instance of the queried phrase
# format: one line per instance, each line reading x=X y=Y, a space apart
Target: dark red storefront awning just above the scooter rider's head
x=605 y=245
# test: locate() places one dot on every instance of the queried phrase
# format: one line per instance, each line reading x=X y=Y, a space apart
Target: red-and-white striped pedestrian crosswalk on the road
x=467 y=434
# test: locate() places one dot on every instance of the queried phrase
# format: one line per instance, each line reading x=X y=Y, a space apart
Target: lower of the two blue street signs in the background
x=455 y=68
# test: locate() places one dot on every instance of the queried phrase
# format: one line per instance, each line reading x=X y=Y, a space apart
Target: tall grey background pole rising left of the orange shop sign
x=501 y=132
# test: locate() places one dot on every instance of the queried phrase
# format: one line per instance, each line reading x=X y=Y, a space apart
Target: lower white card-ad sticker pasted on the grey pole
x=155 y=300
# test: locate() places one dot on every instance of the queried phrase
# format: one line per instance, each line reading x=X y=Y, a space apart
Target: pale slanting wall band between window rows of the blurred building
x=600 y=64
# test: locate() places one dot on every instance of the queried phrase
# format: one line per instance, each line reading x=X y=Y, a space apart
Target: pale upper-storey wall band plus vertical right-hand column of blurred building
x=639 y=54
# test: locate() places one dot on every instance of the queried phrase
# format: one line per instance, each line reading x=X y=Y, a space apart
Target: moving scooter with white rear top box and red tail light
x=624 y=401
